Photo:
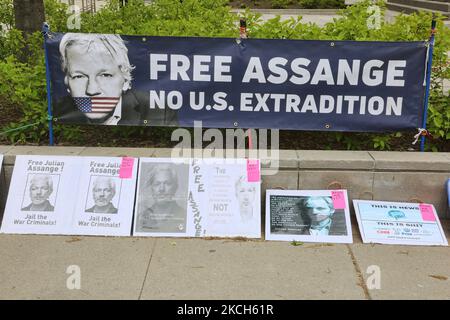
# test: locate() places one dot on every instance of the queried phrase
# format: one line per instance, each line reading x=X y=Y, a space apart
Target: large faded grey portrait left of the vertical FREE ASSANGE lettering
x=163 y=198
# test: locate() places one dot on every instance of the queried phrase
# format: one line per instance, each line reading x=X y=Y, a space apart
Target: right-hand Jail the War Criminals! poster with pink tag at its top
x=105 y=202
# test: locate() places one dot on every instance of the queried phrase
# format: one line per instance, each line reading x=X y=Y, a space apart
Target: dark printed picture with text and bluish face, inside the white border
x=306 y=215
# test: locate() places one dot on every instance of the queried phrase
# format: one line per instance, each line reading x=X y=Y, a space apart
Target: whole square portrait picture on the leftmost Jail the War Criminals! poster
x=40 y=192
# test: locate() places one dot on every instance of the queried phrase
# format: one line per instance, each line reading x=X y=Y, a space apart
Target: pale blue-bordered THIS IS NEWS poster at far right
x=399 y=223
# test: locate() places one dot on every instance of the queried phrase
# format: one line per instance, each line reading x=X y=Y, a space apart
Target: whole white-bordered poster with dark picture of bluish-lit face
x=308 y=216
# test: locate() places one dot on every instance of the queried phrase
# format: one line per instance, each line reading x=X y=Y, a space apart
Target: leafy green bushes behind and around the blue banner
x=25 y=80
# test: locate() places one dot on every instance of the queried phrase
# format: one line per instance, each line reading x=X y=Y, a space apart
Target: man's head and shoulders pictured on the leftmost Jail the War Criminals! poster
x=39 y=189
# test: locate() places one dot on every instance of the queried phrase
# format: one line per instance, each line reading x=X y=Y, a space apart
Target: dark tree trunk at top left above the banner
x=29 y=15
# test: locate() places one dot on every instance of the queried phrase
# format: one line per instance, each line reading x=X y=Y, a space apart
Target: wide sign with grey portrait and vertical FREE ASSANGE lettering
x=196 y=198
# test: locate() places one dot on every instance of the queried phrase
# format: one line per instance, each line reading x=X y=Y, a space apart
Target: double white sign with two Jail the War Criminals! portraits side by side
x=70 y=195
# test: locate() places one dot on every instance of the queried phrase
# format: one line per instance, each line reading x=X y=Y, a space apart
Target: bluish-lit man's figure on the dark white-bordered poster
x=318 y=217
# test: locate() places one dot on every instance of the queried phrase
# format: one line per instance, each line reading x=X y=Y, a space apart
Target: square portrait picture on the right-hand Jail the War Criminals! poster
x=103 y=195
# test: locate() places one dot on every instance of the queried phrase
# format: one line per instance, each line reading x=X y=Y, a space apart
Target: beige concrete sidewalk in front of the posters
x=34 y=267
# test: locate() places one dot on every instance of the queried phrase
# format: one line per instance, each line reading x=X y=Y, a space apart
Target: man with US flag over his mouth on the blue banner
x=98 y=80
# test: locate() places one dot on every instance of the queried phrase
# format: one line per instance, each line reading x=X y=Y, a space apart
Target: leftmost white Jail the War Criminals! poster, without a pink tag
x=41 y=195
